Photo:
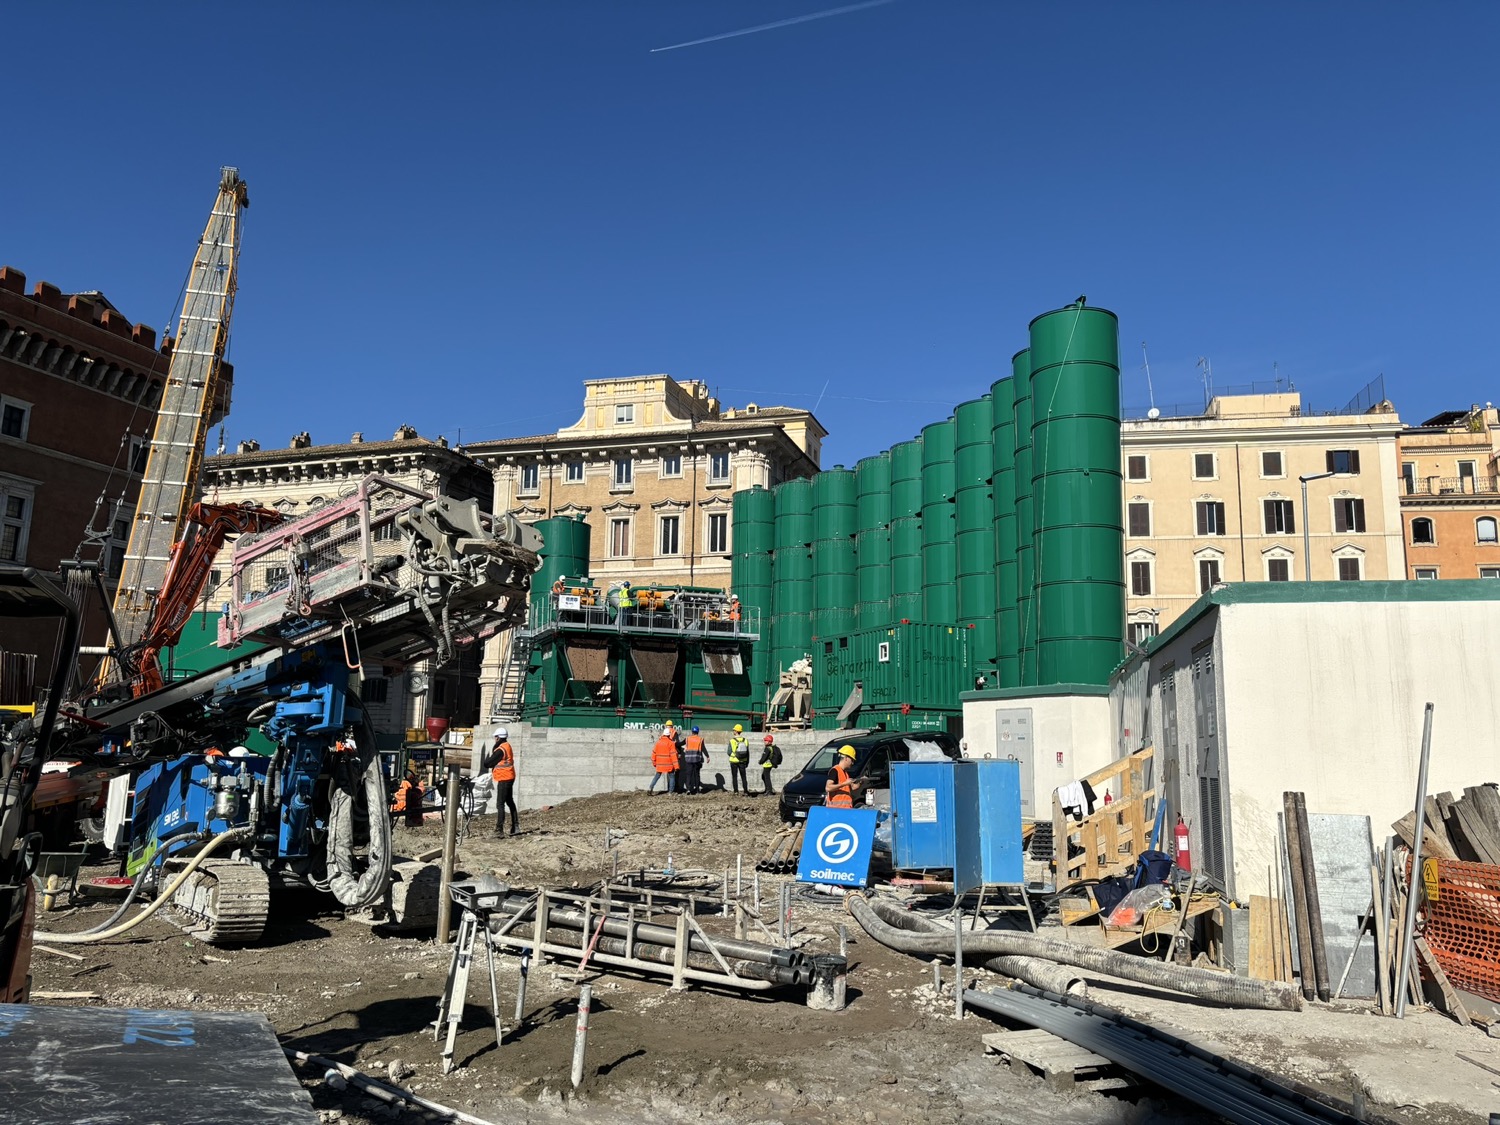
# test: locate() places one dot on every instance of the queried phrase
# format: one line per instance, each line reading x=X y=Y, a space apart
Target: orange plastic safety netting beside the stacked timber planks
x=1463 y=925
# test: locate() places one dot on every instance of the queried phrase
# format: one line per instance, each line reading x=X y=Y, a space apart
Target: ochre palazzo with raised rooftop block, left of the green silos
x=653 y=466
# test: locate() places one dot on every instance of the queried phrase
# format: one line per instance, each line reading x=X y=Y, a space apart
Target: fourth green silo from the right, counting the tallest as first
x=974 y=530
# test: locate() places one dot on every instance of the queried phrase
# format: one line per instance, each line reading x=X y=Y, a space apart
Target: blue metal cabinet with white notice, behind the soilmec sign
x=967 y=811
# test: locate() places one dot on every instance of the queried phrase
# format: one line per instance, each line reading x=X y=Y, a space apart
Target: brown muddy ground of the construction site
x=343 y=989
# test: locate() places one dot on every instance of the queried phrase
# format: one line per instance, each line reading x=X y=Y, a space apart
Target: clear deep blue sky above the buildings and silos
x=461 y=211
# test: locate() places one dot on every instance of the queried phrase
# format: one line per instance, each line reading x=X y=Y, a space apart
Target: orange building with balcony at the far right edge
x=1451 y=494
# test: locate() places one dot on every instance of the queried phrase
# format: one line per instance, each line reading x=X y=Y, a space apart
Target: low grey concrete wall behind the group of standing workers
x=559 y=764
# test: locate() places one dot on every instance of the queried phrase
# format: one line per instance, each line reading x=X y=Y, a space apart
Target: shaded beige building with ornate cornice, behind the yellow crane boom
x=304 y=478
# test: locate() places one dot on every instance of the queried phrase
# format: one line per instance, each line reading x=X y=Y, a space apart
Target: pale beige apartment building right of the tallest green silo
x=1219 y=499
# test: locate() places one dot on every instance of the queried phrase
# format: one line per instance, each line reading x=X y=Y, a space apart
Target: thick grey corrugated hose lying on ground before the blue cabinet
x=901 y=931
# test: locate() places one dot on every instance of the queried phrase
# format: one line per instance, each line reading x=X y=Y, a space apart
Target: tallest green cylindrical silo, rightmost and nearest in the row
x=1076 y=496
